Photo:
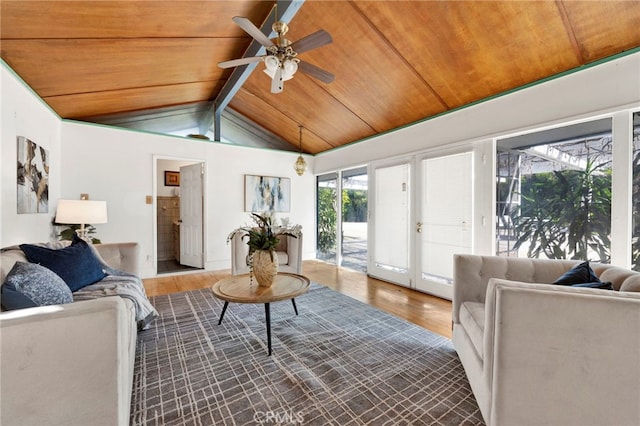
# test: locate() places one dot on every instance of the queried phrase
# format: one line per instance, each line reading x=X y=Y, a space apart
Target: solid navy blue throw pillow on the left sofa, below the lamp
x=75 y=264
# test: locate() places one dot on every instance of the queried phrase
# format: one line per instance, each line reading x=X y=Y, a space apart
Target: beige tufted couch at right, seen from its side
x=542 y=354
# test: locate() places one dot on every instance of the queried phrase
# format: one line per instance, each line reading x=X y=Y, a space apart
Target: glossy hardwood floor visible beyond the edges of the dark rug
x=419 y=308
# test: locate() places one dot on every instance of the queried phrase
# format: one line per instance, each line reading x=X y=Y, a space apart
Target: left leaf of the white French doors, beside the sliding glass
x=390 y=246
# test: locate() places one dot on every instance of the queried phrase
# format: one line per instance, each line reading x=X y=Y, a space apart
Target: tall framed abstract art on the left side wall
x=33 y=177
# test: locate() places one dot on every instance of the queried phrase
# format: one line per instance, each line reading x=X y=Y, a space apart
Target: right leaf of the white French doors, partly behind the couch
x=445 y=220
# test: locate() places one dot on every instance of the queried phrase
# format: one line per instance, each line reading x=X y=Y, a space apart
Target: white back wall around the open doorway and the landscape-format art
x=116 y=165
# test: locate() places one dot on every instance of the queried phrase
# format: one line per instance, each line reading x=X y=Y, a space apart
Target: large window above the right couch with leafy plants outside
x=554 y=193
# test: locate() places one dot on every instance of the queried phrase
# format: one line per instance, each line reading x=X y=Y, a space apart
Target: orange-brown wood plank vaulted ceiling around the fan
x=395 y=62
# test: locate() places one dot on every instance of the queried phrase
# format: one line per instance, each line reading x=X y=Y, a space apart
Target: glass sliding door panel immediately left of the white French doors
x=354 y=219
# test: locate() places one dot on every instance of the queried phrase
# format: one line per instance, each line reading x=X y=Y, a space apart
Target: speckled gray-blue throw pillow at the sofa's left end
x=29 y=285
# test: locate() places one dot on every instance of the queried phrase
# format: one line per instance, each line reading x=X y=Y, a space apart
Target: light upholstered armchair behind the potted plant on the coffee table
x=289 y=252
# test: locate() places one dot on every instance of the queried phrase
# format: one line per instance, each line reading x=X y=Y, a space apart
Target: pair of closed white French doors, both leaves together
x=421 y=215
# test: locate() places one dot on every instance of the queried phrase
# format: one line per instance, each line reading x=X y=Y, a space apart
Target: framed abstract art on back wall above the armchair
x=267 y=194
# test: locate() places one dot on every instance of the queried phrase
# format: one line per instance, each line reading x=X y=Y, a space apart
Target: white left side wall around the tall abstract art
x=22 y=113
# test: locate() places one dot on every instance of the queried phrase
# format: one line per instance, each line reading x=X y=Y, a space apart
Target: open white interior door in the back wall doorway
x=191 y=222
